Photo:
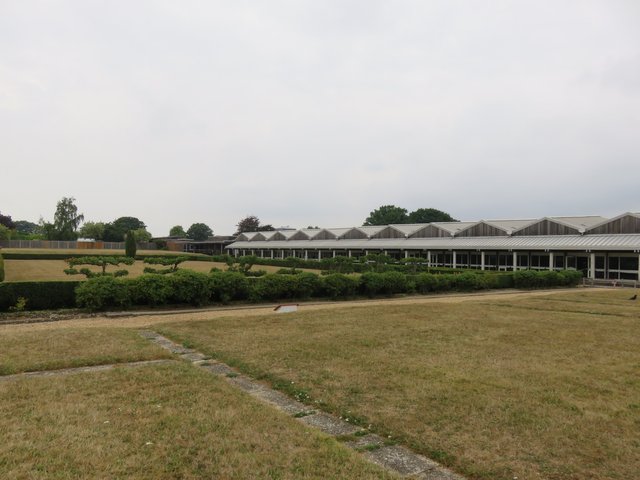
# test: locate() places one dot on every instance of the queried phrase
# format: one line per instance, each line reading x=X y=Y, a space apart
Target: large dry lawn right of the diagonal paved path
x=547 y=387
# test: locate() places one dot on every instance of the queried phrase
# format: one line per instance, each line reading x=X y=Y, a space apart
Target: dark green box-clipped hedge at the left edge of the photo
x=39 y=295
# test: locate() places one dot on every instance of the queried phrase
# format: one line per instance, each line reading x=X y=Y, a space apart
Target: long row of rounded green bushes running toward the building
x=194 y=288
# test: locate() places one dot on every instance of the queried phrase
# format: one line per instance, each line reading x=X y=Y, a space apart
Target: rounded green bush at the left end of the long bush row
x=99 y=293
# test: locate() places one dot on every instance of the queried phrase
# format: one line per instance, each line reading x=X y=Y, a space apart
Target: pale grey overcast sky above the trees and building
x=317 y=112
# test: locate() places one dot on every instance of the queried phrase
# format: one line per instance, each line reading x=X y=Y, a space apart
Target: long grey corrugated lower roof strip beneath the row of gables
x=630 y=242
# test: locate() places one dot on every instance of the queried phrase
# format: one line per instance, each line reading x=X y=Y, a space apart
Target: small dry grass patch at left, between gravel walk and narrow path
x=54 y=349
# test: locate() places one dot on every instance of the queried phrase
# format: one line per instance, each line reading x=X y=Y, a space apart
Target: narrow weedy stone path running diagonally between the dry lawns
x=396 y=458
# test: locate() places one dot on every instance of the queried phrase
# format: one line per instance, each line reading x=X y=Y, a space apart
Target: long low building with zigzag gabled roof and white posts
x=600 y=247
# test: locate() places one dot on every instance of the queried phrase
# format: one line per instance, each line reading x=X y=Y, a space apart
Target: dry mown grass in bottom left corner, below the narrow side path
x=163 y=422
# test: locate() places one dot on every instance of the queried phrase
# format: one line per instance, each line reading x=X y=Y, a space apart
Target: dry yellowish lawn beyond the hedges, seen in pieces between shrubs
x=40 y=270
